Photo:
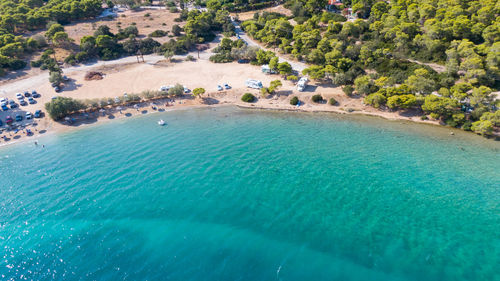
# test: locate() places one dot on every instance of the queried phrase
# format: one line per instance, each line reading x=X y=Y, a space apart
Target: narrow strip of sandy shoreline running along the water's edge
x=130 y=112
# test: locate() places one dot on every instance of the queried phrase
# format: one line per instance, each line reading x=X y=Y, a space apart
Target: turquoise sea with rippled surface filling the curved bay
x=231 y=194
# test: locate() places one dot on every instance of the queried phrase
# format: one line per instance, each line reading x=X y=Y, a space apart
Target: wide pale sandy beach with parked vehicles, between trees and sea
x=126 y=76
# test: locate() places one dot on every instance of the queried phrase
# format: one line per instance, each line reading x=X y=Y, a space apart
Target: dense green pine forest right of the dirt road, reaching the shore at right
x=382 y=53
